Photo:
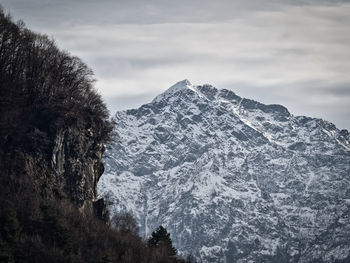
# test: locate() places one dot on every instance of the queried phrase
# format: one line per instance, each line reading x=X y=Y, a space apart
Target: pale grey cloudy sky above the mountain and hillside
x=290 y=52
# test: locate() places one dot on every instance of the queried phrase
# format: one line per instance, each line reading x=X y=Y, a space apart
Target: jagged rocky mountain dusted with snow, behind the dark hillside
x=232 y=180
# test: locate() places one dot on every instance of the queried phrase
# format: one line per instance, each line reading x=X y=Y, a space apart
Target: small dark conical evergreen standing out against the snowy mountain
x=161 y=239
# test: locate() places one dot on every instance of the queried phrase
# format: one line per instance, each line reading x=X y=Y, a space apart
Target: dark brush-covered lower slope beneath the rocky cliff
x=50 y=231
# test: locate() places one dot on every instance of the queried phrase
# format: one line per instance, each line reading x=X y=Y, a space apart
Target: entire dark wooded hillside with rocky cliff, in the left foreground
x=53 y=127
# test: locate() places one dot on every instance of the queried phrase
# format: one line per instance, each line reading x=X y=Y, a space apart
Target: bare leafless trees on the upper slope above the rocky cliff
x=35 y=75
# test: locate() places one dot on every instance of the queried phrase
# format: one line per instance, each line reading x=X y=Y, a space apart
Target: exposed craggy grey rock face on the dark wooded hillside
x=76 y=165
